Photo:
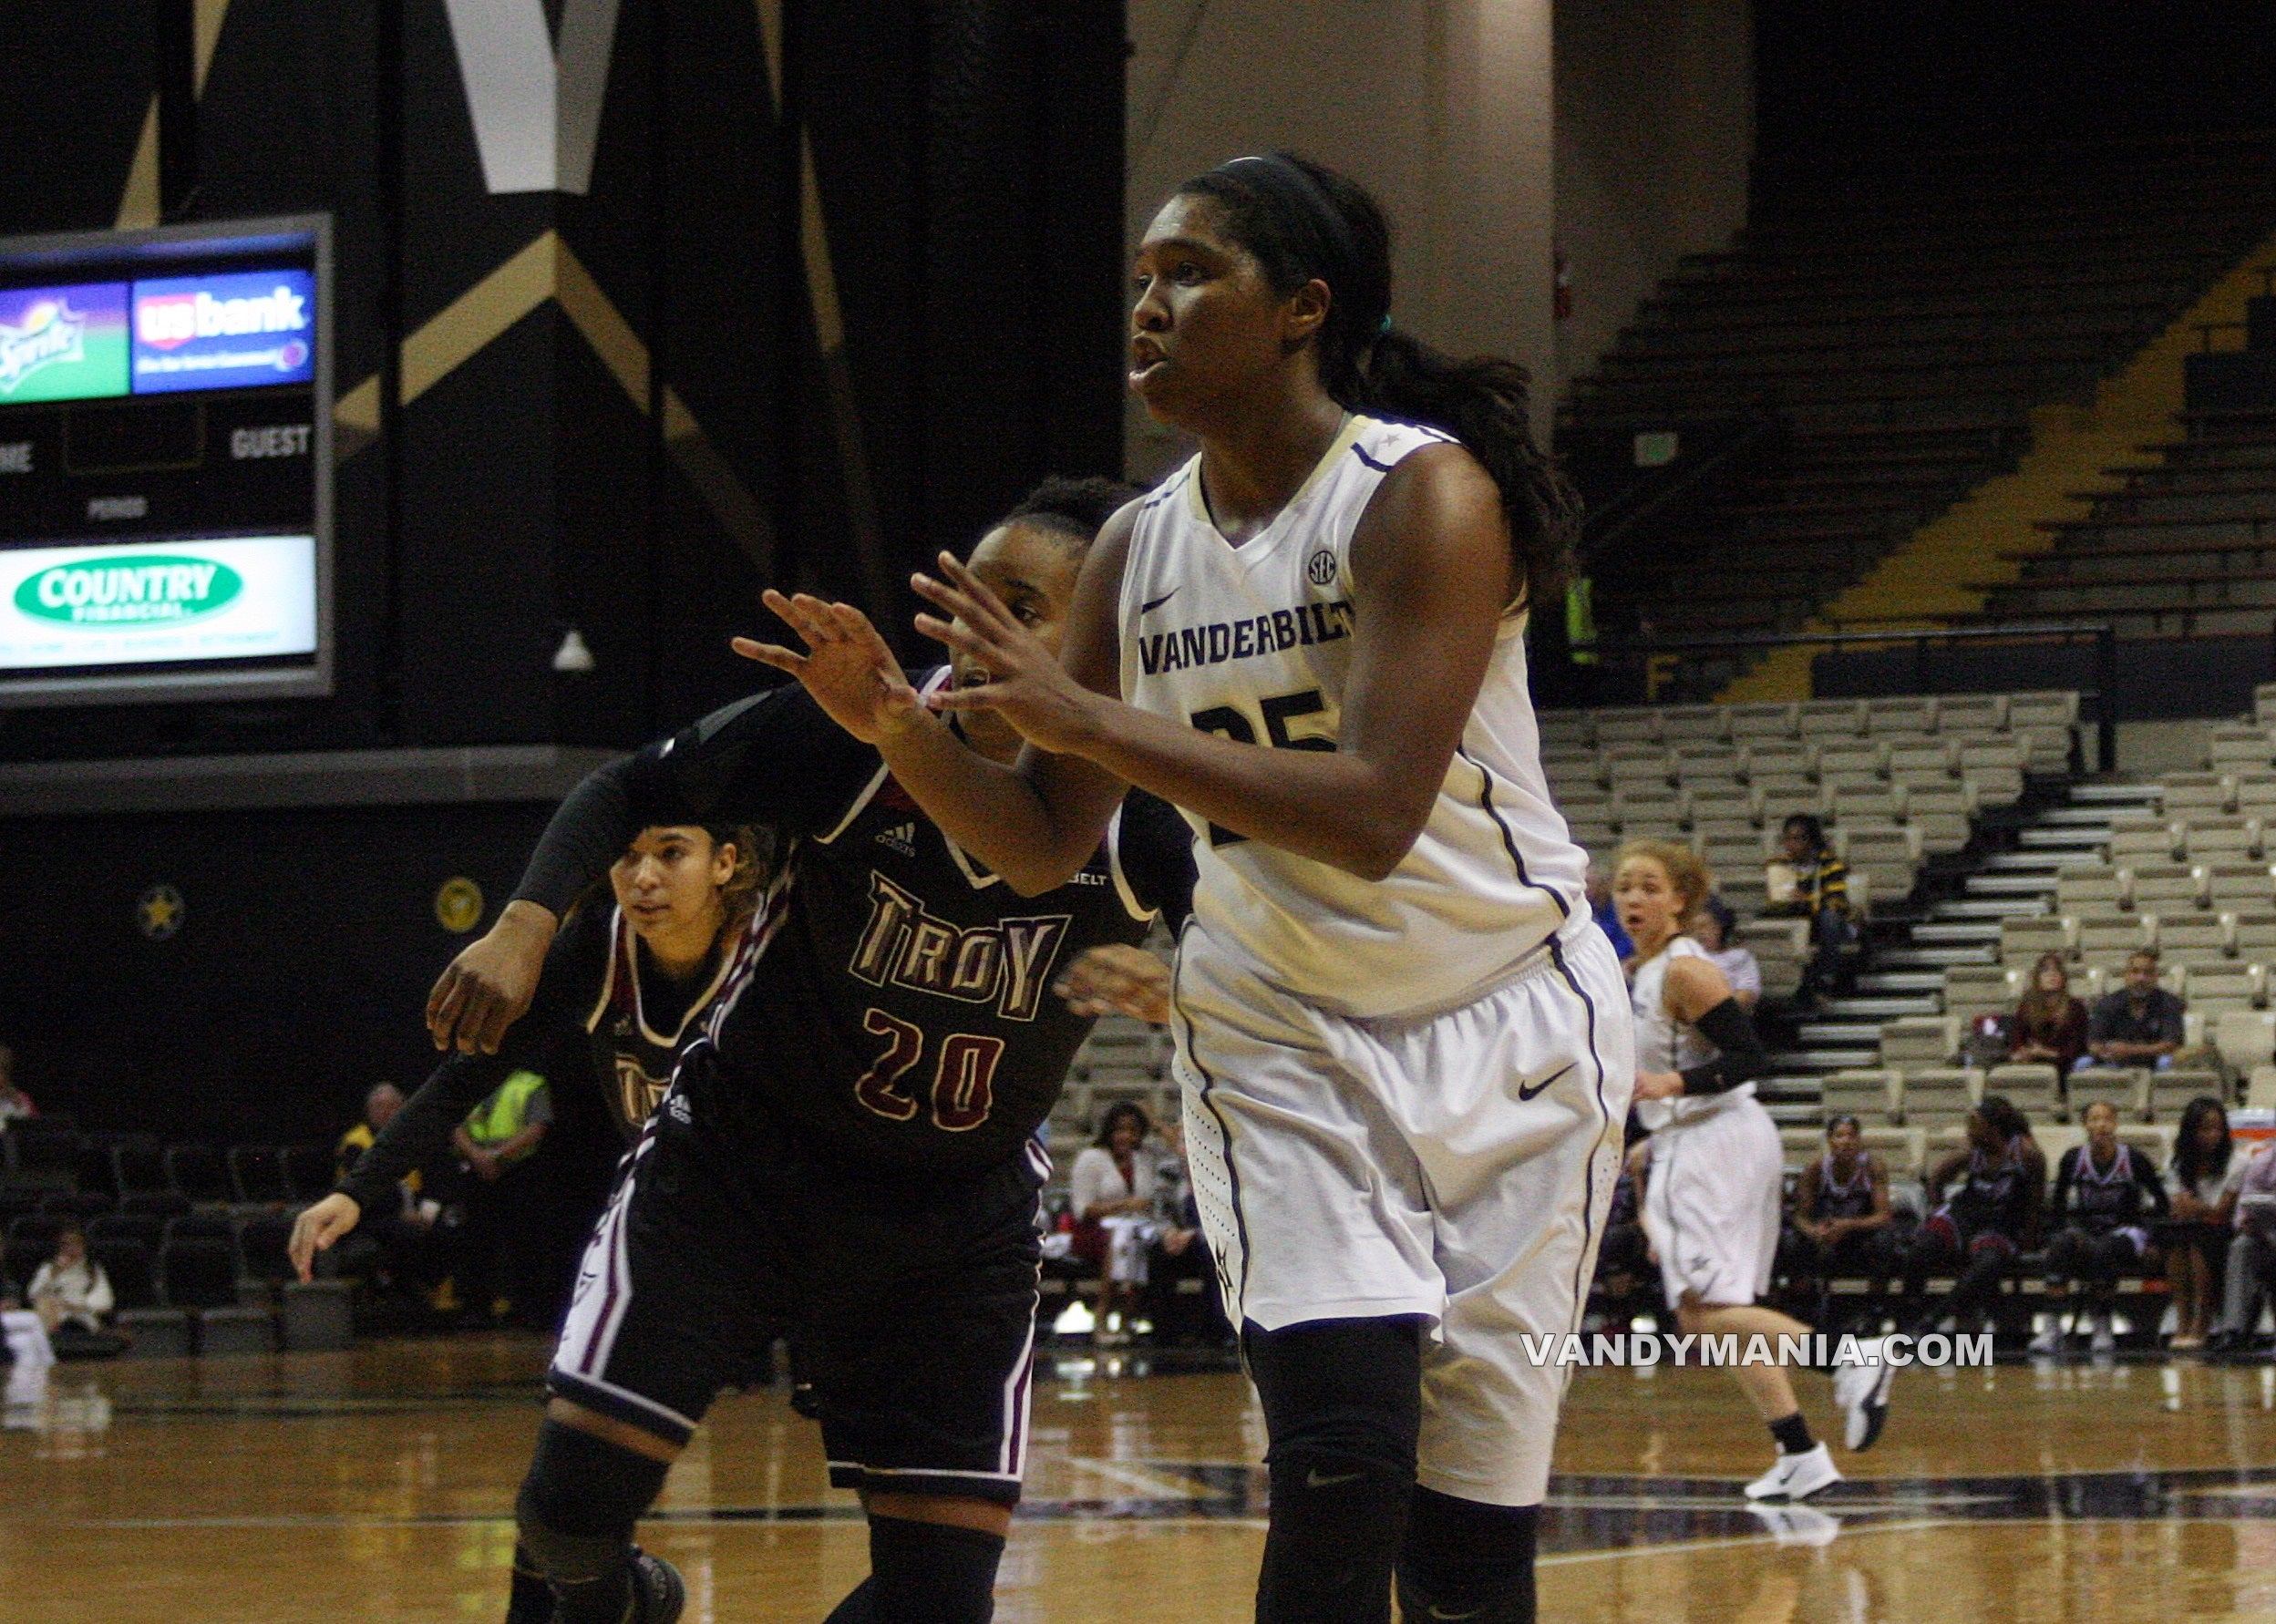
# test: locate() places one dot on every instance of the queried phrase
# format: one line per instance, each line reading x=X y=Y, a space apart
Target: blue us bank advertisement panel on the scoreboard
x=224 y=331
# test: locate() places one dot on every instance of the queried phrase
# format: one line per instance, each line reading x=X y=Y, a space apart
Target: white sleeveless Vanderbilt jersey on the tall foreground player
x=1255 y=643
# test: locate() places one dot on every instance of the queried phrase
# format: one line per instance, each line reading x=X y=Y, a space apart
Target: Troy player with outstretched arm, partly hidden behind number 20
x=636 y=975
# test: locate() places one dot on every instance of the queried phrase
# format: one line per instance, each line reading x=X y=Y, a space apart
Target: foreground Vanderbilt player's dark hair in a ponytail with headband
x=1305 y=222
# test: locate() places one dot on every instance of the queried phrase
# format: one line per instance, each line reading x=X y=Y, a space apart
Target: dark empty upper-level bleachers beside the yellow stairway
x=1902 y=322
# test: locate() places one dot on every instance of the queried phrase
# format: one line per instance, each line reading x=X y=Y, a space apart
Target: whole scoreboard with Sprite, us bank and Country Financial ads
x=167 y=463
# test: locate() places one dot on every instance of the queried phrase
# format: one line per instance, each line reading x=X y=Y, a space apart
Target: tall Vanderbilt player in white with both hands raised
x=1403 y=1041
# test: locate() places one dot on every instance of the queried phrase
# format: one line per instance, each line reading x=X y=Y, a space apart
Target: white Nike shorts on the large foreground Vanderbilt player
x=1453 y=1166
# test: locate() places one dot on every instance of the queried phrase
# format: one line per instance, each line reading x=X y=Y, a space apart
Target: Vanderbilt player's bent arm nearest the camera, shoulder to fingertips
x=1430 y=561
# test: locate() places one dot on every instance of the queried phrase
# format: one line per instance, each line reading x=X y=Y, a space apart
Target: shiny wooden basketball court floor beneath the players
x=379 y=1486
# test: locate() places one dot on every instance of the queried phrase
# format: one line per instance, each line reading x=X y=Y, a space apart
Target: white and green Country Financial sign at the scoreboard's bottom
x=149 y=602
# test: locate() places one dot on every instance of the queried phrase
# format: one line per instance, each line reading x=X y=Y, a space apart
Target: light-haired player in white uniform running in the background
x=1713 y=1193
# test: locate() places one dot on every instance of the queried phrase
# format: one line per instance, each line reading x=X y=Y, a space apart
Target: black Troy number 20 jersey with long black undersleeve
x=893 y=1002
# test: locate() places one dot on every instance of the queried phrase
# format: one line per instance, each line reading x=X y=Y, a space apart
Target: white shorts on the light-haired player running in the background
x=1713 y=1204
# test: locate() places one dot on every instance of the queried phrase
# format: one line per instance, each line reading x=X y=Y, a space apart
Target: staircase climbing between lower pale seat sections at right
x=1911 y=954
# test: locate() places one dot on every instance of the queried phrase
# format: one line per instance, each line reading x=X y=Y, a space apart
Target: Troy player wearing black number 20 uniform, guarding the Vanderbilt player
x=848 y=1145
